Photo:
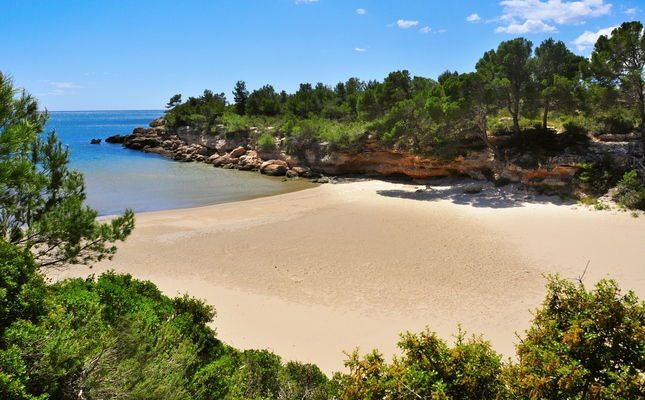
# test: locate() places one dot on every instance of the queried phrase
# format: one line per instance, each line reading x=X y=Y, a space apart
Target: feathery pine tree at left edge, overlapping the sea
x=42 y=208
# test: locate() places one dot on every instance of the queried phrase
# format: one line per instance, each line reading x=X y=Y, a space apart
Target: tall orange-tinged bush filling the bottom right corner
x=582 y=344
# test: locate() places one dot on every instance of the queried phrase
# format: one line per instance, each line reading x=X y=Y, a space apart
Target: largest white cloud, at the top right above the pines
x=558 y=11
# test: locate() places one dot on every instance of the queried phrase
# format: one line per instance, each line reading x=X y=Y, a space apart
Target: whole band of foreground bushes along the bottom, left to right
x=117 y=337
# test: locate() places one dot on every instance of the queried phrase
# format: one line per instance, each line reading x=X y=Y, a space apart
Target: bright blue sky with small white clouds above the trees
x=136 y=54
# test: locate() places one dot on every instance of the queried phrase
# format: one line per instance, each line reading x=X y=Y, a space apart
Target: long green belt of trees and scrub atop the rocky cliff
x=513 y=87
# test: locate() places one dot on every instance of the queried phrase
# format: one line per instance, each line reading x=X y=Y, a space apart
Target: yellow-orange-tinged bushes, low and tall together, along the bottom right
x=581 y=345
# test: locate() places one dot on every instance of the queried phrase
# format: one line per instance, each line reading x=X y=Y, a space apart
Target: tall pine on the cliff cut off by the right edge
x=618 y=62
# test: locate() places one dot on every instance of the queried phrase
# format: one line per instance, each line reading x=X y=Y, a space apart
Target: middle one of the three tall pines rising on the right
x=556 y=69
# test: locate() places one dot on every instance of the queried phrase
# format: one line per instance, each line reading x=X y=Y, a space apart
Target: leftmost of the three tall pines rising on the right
x=508 y=69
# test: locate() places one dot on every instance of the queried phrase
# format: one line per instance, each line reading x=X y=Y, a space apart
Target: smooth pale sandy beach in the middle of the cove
x=312 y=273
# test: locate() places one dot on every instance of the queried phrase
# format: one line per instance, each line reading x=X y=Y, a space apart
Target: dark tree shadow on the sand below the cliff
x=473 y=193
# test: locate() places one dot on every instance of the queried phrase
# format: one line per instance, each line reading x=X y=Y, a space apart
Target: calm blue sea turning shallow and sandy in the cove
x=117 y=178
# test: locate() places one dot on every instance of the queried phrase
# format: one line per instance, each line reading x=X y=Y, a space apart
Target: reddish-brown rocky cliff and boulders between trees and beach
x=239 y=151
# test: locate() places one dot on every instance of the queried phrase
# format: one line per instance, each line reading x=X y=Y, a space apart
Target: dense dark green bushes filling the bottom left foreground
x=116 y=337
